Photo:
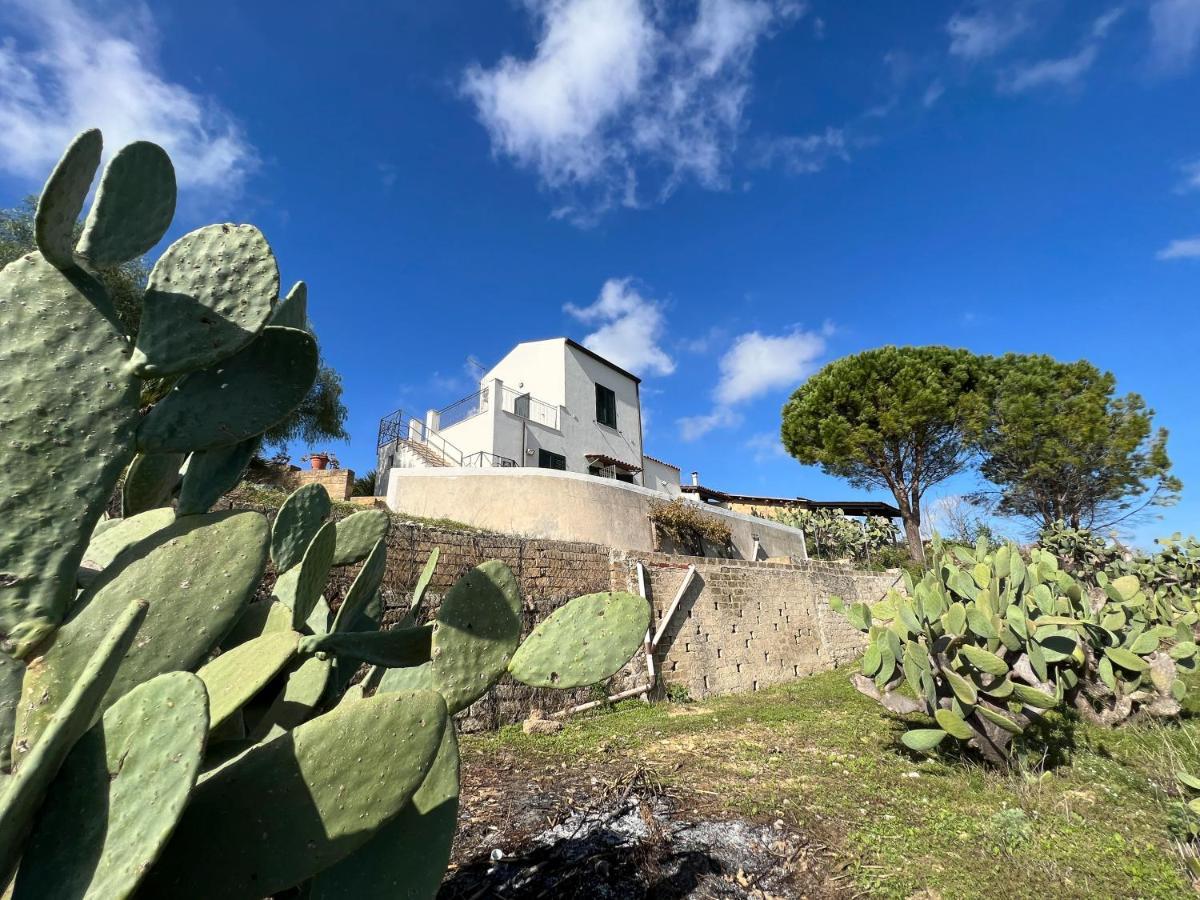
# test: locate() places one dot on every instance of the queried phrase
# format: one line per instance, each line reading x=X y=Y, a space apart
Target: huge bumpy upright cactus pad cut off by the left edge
x=70 y=409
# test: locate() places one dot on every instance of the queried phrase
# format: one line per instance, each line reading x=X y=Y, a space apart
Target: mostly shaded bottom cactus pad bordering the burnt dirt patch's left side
x=410 y=855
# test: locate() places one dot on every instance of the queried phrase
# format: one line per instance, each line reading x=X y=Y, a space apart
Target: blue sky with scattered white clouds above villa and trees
x=722 y=195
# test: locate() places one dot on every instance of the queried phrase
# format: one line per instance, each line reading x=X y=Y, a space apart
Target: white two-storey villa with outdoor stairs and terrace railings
x=550 y=405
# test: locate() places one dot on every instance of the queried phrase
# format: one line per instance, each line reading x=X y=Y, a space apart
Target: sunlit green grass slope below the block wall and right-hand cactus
x=829 y=761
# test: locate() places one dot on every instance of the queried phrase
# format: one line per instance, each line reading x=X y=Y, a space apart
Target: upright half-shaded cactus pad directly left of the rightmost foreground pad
x=477 y=629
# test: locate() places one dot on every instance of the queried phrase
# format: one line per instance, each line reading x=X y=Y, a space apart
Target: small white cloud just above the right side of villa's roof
x=631 y=328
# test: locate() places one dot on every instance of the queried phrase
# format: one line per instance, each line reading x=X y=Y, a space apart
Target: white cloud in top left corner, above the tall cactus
x=75 y=70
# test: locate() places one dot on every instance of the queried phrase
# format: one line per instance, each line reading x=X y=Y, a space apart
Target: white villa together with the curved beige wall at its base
x=551 y=447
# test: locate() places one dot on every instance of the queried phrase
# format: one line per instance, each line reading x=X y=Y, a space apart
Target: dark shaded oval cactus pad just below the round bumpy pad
x=236 y=400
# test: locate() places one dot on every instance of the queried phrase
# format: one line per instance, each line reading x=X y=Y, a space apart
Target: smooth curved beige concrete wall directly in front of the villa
x=566 y=506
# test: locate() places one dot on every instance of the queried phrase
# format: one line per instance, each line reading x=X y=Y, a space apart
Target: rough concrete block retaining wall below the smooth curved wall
x=743 y=626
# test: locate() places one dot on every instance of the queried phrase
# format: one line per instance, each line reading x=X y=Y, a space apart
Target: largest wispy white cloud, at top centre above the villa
x=615 y=88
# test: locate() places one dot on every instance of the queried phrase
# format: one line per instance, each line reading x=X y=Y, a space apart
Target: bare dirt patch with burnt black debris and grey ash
x=530 y=831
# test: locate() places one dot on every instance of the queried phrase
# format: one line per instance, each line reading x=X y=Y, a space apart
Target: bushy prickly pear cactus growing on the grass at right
x=988 y=644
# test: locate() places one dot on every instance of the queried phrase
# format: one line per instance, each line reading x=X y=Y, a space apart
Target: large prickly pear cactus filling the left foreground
x=135 y=661
